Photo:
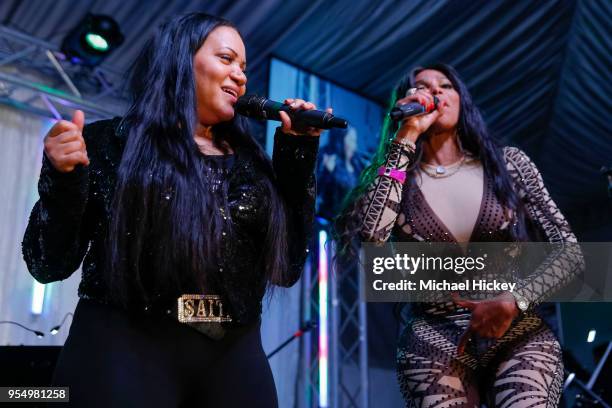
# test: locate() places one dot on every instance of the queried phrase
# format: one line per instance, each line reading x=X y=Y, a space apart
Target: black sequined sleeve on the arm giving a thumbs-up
x=55 y=243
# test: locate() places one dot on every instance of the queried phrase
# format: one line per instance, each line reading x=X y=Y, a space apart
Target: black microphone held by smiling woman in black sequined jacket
x=258 y=107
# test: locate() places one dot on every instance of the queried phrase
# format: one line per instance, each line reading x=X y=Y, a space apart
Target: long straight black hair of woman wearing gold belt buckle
x=165 y=236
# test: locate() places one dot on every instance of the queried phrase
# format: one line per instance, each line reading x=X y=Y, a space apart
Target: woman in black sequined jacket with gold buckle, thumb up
x=183 y=223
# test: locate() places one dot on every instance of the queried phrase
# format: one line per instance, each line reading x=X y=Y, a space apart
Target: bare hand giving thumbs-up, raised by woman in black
x=64 y=144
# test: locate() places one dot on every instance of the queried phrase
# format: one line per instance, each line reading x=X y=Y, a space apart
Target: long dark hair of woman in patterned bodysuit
x=474 y=138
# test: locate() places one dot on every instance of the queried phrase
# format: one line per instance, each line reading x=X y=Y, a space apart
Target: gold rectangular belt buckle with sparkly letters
x=202 y=308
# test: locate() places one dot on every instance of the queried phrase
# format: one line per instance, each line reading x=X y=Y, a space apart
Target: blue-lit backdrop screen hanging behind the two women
x=343 y=154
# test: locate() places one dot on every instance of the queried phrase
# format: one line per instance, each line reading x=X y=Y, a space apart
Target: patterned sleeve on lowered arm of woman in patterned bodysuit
x=565 y=261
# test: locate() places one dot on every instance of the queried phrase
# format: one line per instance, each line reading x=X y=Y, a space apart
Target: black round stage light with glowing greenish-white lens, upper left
x=92 y=39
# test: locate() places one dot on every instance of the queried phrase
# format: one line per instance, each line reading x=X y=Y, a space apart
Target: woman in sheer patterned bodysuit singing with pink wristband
x=439 y=177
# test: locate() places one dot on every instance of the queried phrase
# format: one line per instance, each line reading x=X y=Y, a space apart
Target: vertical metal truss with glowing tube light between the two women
x=347 y=357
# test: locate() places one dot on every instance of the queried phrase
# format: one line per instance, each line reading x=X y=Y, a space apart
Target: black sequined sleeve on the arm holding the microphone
x=294 y=160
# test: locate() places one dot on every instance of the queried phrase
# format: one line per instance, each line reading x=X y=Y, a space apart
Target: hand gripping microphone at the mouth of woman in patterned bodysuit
x=418 y=111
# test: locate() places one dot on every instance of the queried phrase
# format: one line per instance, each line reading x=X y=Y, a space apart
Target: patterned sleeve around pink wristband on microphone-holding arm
x=380 y=205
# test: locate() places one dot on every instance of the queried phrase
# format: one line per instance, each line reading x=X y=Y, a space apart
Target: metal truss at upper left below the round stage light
x=36 y=77
